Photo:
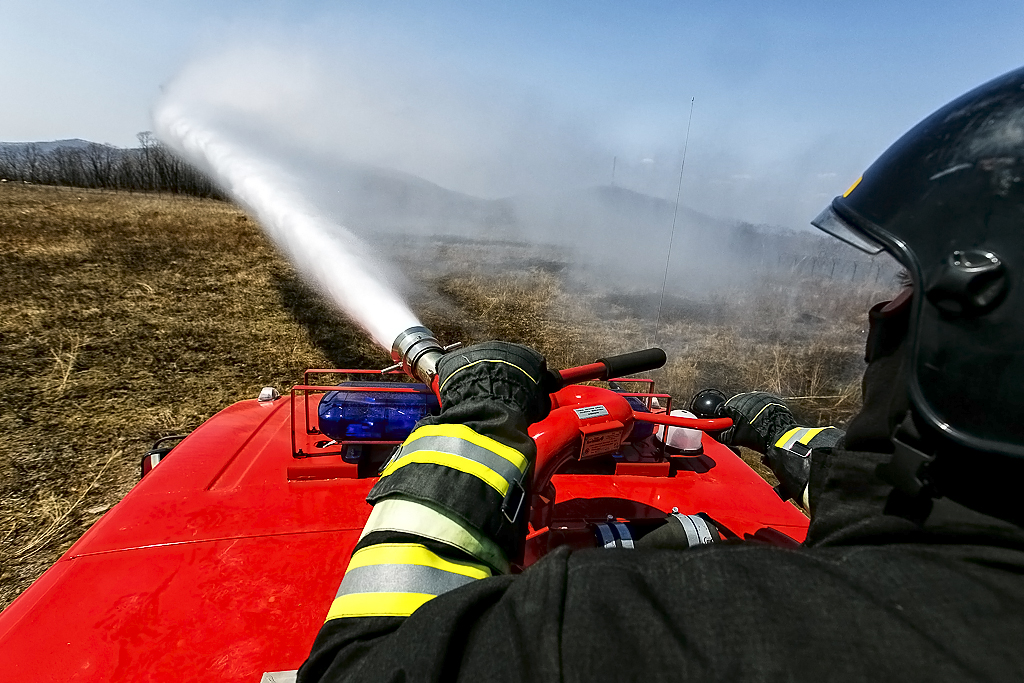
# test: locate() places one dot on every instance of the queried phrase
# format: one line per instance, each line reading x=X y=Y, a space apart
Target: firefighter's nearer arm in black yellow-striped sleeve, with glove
x=449 y=507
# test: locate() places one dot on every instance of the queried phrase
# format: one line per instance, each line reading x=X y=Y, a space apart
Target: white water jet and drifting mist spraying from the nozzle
x=313 y=140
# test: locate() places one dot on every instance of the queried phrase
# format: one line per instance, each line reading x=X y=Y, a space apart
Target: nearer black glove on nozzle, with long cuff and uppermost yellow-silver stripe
x=490 y=394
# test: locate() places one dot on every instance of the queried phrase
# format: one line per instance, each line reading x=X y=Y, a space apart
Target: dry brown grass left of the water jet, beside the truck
x=126 y=318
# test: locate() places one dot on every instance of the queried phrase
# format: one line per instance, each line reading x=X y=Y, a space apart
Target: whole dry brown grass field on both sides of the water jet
x=127 y=318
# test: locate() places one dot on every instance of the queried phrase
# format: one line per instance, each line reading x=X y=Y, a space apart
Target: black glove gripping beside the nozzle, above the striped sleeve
x=511 y=374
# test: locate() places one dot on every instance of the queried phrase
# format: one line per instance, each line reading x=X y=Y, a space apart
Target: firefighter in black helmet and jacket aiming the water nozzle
x=914 y=565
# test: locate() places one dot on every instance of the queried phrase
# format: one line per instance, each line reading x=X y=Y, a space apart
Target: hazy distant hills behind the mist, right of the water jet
x=614 y=234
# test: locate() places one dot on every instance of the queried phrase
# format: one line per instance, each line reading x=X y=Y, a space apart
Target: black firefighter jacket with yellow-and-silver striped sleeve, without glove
x=871 y=596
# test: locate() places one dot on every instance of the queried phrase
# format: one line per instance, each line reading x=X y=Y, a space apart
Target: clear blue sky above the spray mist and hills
x=793 y=99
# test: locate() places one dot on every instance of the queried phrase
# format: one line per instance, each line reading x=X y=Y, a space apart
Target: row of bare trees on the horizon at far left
x=150 y=167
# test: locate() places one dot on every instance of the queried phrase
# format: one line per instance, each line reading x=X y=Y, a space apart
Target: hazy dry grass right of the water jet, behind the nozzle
x=803 y=340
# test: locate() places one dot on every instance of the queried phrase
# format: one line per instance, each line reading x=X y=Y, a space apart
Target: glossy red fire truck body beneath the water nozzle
x=222 y=564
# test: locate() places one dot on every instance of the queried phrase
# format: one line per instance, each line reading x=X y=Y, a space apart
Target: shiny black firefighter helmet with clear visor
x=948 y=202
